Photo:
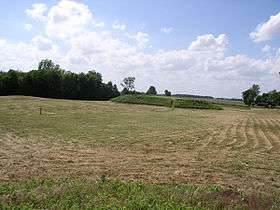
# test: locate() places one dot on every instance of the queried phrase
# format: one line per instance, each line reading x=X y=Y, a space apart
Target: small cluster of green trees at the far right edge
x=252 y=97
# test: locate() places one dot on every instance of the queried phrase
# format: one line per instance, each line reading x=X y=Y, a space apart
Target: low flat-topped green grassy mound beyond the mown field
x=166 y=101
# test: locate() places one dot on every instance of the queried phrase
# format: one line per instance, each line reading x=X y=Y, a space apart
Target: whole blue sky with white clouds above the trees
x=204 y=47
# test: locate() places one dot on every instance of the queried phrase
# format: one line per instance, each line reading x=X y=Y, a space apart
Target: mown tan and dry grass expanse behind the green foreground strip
x=232 y=148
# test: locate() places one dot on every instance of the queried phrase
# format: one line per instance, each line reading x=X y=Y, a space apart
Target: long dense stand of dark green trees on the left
x=53 y=82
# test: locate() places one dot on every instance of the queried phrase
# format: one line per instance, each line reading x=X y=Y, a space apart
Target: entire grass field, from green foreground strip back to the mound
x=165 y=157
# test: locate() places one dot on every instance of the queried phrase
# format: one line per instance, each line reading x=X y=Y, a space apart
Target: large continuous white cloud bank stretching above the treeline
x=202 y=67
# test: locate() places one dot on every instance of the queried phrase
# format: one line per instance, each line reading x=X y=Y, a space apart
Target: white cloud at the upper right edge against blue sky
x=267 y=30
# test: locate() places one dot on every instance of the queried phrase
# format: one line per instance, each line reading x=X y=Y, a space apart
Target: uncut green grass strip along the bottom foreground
x=116 y=194
